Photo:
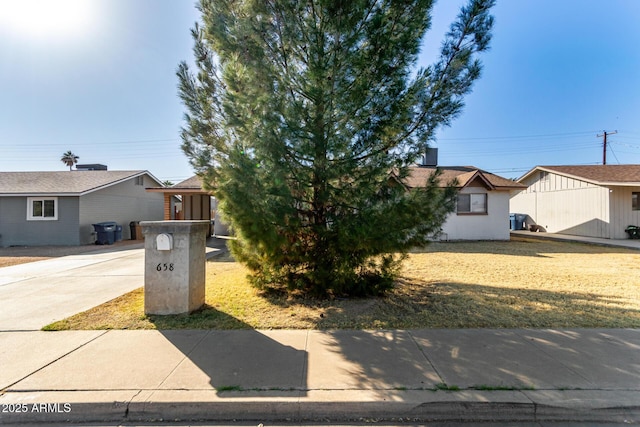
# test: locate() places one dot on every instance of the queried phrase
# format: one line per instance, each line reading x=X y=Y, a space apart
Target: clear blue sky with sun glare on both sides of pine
x=97 y=77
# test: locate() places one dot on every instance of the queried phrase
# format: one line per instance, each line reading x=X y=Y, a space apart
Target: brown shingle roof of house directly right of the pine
x=464 y=174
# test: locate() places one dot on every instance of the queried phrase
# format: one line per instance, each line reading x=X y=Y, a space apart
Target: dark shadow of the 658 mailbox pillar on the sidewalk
x=241 y=362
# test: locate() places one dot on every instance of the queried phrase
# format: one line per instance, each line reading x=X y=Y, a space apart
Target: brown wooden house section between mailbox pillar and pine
x=197 y=204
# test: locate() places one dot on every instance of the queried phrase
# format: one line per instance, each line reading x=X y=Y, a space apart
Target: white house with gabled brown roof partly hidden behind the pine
x=482 y=208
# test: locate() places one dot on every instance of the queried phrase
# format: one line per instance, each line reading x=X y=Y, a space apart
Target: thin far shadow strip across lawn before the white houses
x=520 y=247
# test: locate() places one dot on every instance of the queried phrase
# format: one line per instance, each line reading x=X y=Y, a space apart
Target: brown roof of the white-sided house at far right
x=595 y=174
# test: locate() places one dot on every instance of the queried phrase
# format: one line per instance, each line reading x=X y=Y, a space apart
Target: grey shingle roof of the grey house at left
x=67 y=183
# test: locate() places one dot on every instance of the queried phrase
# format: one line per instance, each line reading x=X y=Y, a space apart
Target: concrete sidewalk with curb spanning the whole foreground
x=296 y=375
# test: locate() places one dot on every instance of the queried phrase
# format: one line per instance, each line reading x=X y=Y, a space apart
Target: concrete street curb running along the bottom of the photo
x=294 y=406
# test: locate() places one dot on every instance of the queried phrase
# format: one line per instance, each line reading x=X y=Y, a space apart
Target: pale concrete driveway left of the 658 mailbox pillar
x=35 y=294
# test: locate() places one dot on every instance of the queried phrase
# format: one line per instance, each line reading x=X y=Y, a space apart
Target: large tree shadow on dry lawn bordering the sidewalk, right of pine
x=416 y=304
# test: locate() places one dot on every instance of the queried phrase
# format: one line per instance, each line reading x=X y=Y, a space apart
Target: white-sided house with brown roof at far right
x=594 y=201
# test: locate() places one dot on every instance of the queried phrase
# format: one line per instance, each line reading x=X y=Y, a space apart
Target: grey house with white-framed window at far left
x=59 y=208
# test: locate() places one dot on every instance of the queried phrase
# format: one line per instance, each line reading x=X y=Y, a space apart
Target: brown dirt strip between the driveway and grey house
x=23 y=254
